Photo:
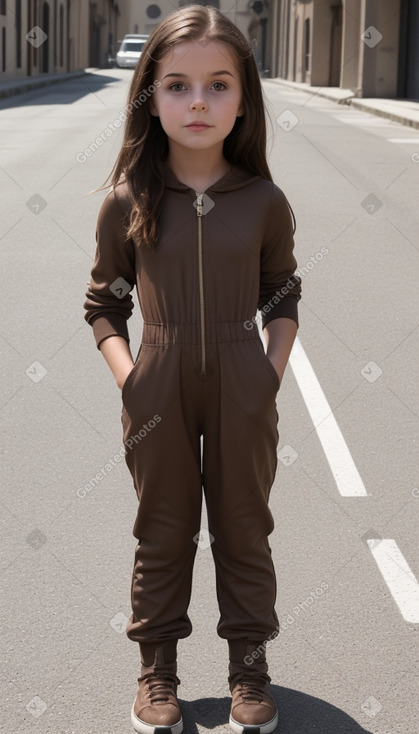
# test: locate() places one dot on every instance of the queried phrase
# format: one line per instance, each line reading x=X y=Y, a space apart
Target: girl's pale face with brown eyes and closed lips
x=199 y=81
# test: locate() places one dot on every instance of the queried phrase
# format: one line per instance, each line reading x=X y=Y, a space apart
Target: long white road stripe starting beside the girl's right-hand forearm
x=342 y=465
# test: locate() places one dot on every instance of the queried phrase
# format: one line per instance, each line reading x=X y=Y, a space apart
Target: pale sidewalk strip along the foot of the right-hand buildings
x=404 y=111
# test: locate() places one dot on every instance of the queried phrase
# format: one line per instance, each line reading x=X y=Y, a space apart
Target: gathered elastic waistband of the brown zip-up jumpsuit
x=221 y=331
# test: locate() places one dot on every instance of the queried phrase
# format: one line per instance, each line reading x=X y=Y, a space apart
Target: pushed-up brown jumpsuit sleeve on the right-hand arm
x=280 y=288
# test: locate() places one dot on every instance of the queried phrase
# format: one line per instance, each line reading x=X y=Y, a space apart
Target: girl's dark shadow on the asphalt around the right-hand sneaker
x=298 y=714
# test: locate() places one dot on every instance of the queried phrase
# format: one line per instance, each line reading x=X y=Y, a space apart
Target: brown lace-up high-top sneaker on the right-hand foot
x=252 y=708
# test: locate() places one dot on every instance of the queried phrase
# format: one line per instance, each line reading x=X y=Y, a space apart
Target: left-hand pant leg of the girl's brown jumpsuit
x=162 y=392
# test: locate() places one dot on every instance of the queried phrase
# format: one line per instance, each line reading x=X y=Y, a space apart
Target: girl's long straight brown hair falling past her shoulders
x=141 y=160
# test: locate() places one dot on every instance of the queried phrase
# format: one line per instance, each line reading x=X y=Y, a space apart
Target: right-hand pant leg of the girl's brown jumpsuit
x=239 y=465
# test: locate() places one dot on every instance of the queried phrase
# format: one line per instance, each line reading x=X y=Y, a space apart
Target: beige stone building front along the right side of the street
x=368 y=46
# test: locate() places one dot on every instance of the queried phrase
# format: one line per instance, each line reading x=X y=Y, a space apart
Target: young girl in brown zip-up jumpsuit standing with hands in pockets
x=195 y=222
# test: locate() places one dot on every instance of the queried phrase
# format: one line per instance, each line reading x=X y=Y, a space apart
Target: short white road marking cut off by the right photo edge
x=399 y=578
